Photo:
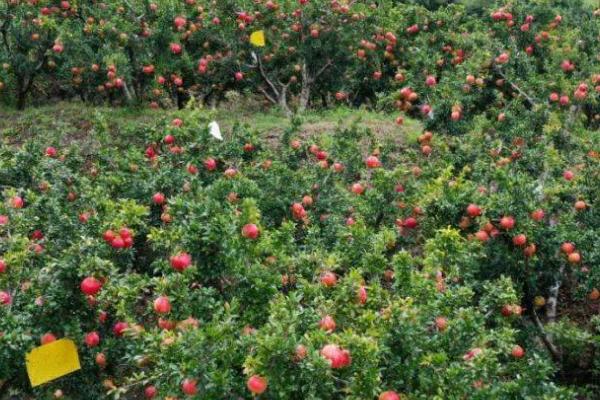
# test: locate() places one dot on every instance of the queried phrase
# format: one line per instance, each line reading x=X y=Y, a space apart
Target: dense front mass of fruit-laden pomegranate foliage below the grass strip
x=190 y=258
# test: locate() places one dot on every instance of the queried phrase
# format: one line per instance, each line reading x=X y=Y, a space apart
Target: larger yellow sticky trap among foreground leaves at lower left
x=51 y=361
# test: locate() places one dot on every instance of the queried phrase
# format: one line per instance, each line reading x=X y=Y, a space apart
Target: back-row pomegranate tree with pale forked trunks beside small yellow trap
x=307 y=46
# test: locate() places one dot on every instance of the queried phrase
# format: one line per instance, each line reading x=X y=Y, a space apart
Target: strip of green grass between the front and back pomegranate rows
x=78 y=122
